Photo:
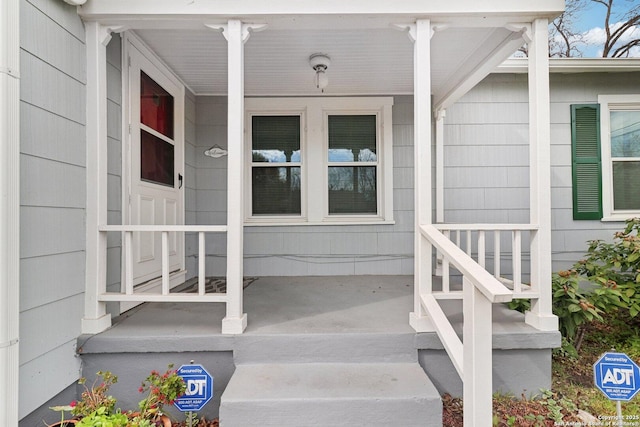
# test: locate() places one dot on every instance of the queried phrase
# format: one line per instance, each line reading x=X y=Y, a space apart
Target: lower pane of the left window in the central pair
x=276 y=191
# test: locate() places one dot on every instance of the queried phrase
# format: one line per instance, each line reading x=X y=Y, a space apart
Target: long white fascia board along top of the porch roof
x=379 y=12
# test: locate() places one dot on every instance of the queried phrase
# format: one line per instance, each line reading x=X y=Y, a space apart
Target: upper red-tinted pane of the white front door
x=156 y=106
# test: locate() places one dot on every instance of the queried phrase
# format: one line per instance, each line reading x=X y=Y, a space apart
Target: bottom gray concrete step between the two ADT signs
x=330 y=394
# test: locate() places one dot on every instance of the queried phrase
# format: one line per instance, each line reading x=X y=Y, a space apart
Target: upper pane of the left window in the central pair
x=275 y=139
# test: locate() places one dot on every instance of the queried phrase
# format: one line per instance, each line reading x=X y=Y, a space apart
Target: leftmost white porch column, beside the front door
x=95 y=317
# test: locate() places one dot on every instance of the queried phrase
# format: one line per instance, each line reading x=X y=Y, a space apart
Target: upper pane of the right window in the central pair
x=352 y=138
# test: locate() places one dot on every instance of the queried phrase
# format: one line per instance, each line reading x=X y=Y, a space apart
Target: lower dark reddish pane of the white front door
x=156 y=159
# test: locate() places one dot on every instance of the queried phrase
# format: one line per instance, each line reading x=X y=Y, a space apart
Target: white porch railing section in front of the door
x=129 y=293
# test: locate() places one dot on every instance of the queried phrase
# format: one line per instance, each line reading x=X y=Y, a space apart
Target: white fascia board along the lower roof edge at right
x=574 y=65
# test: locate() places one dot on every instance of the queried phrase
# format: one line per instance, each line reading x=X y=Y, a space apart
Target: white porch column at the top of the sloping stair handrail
x=421 y=33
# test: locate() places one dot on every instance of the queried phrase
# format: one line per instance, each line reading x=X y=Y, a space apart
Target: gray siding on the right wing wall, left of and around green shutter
x=486 y=175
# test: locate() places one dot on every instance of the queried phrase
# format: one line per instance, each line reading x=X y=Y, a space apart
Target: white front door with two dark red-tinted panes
x=156 y=153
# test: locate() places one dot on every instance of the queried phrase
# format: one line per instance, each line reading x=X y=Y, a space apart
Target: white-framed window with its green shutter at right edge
x=606 y=158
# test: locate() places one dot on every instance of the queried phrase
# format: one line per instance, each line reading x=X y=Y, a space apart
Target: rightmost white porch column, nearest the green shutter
x=541 y=315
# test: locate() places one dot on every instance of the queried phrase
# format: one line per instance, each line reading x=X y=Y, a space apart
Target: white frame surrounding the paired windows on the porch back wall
x=314 y=165
